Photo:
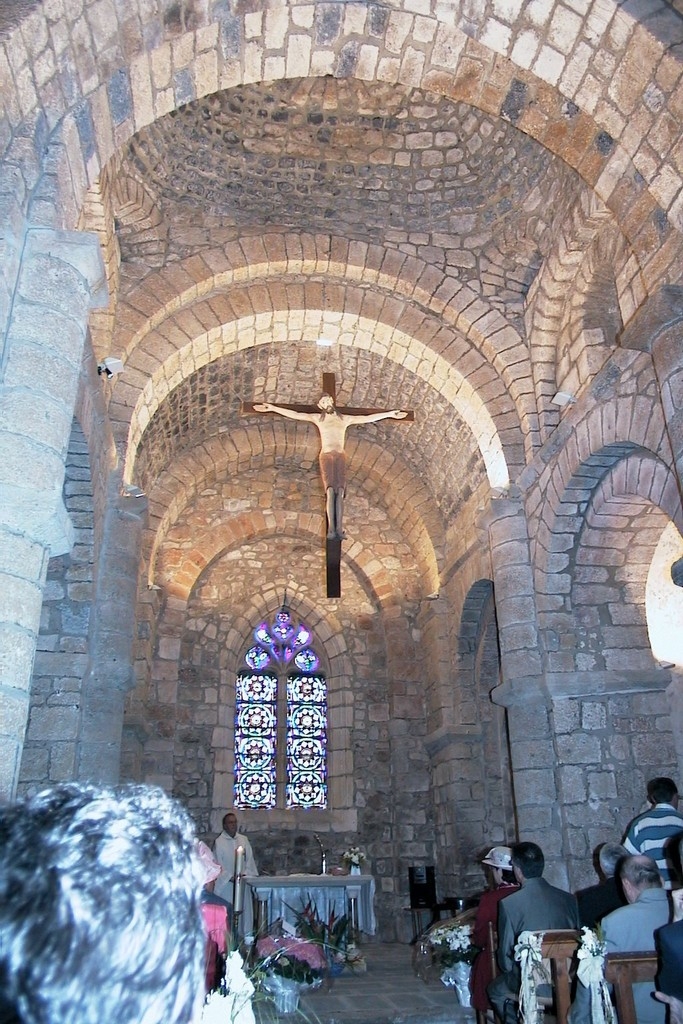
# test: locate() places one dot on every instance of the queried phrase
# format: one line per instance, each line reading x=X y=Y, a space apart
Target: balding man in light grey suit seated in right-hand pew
x=632 y=927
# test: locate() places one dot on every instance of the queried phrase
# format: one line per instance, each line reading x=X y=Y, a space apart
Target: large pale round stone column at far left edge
x=61 y=278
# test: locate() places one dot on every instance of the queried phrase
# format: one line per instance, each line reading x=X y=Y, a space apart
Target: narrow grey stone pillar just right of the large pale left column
x=110 y=673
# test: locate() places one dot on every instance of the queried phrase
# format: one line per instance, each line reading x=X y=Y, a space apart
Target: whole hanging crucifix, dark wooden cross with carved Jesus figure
x=332 y=424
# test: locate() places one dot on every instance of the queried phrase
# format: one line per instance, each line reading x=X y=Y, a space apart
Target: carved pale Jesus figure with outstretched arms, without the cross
x=332 y=428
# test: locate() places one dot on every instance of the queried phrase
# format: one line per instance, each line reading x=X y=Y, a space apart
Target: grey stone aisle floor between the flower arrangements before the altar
x=390 y=993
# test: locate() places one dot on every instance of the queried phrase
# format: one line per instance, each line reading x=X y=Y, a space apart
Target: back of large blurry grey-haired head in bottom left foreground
x=100 y=909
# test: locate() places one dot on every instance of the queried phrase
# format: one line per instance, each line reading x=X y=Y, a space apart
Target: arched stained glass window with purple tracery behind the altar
x=281 y=720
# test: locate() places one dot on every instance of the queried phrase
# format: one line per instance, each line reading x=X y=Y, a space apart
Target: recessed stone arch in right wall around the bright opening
x=626 y=496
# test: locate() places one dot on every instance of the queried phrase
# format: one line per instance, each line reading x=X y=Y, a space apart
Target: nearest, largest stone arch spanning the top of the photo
x=439 y=55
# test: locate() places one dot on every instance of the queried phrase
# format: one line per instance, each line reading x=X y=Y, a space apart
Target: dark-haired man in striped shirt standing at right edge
x=652 y=832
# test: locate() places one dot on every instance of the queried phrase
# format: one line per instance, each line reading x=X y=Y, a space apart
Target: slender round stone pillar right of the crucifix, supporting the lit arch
x=524 y=691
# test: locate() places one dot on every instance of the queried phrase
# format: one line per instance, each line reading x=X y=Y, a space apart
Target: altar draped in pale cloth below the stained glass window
x=283 y=897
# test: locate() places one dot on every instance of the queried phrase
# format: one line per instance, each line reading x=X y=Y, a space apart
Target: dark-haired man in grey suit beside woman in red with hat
x=537 y=907
